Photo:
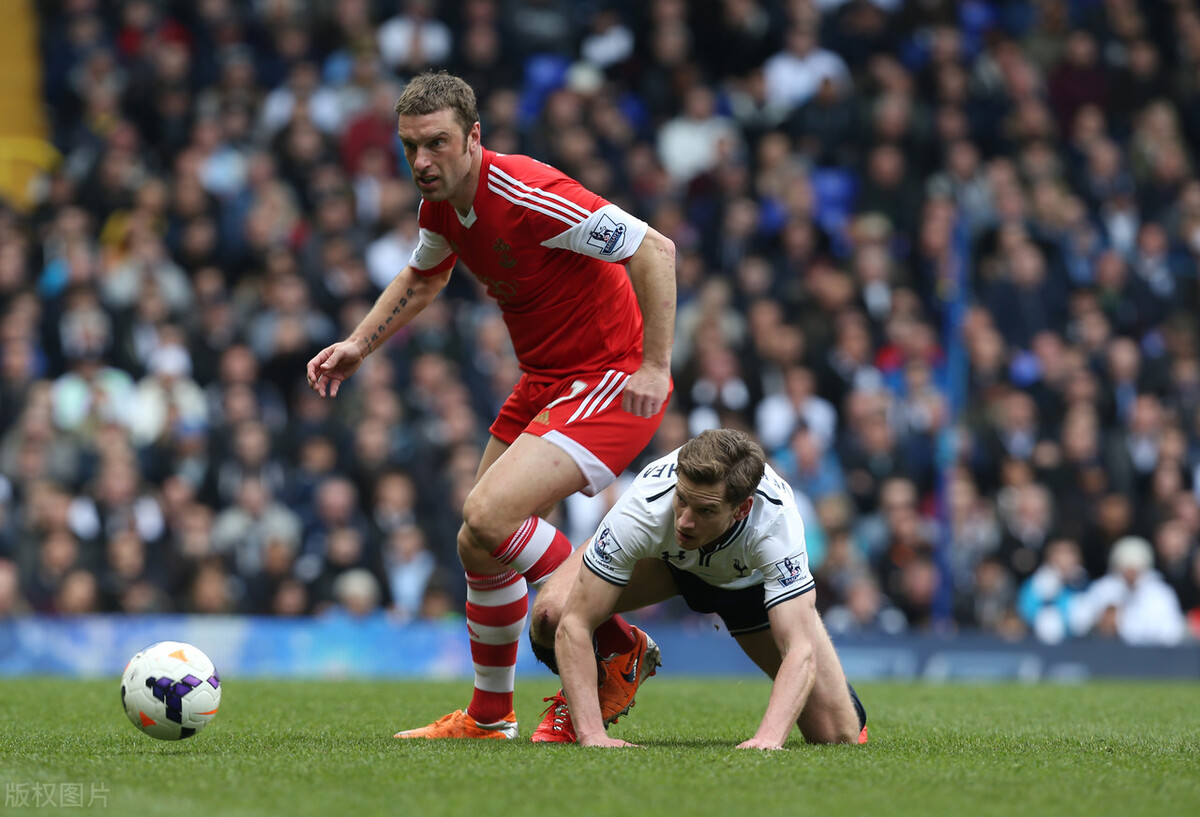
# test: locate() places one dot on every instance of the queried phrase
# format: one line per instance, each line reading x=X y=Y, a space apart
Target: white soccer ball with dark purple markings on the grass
x=171 y=690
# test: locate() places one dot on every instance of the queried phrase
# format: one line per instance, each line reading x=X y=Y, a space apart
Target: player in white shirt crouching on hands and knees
x=713 y=524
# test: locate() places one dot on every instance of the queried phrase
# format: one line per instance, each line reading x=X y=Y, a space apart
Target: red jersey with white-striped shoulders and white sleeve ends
x=553 y=256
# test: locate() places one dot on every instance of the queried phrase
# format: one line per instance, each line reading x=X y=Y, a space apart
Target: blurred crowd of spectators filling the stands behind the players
x=939 y=257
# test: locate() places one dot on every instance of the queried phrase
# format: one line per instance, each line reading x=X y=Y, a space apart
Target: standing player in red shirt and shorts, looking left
x=589 y=296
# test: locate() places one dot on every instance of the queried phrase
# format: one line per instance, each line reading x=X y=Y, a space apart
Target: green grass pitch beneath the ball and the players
x=326 y=748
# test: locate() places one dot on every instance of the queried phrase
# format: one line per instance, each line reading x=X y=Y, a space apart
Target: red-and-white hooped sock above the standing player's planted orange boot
x=496 y=612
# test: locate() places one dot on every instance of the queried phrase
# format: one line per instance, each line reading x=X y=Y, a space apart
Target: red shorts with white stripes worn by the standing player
x=583 y=416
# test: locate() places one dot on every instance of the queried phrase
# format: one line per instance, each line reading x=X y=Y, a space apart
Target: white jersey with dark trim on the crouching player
x=767 y=548
